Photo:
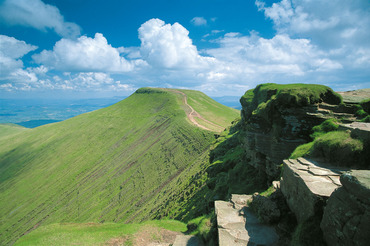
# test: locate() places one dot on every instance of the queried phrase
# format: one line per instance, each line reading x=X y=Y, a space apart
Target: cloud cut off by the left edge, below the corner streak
x=11 y=52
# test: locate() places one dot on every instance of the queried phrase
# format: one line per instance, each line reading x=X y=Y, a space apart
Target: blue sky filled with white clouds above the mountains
x=105 y=48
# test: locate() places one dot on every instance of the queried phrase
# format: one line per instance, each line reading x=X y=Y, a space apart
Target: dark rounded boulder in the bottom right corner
x=346 y=219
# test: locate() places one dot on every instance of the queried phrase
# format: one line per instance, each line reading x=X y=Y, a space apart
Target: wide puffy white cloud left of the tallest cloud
x=84 y=55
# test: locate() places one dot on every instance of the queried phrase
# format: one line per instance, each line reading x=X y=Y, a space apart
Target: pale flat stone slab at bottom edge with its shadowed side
x=240 y=226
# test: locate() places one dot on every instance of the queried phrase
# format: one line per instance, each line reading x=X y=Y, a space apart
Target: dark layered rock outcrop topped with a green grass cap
x=277 y=119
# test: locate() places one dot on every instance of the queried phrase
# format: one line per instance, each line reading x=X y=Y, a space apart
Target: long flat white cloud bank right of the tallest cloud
x=279 y=55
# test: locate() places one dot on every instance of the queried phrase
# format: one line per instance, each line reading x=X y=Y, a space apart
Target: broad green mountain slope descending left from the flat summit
x=110 y=165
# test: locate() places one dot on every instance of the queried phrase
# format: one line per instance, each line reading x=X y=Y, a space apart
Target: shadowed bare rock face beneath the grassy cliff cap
x=267 y=145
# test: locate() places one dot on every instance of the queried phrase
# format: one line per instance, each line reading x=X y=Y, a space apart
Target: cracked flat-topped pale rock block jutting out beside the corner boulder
x=306 y=186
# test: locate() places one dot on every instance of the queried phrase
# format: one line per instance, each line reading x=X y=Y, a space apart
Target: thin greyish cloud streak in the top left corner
x=36 y=14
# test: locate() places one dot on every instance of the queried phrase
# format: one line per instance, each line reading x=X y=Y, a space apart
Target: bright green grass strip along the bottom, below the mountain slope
x=93 y=233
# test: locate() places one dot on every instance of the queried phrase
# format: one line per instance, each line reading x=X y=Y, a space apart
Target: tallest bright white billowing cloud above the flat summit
x=169 y=46
